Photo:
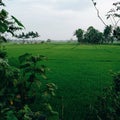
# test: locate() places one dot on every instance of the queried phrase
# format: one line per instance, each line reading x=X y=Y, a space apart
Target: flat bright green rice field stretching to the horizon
x=79 y=71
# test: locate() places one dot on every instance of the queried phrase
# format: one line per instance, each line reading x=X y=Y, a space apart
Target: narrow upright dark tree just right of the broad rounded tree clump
x=107 y=34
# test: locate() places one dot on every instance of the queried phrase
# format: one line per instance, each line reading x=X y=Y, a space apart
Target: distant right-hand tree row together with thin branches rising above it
x=110 y=33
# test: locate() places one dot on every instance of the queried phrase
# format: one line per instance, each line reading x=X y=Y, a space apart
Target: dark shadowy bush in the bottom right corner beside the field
x=107 y=106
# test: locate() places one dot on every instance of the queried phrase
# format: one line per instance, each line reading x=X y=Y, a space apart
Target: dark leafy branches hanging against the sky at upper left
x=8 y=24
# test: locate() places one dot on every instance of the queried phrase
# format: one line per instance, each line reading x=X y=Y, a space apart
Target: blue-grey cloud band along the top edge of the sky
x=73 y=5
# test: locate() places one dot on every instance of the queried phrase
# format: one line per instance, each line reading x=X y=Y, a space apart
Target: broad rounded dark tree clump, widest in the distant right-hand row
x=93 y=36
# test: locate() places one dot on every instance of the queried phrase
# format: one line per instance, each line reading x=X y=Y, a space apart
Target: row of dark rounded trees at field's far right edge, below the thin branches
x=94 y=36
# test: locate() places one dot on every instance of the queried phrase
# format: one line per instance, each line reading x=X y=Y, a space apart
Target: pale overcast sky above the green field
x=58 y=19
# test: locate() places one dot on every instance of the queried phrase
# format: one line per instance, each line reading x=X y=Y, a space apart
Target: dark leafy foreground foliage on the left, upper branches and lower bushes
x=19 y=86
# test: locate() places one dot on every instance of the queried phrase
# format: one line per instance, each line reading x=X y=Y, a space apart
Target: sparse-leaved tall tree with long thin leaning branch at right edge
x=114 y=15
